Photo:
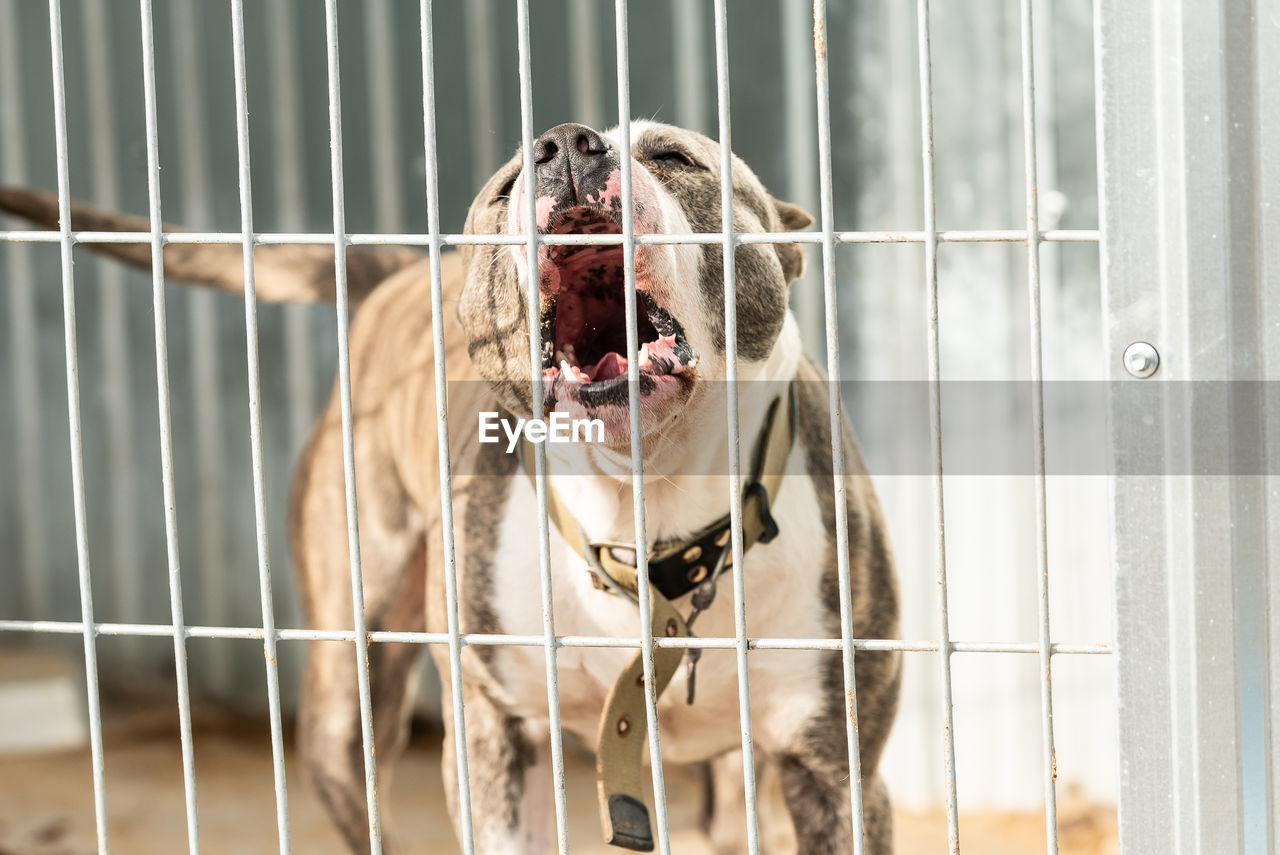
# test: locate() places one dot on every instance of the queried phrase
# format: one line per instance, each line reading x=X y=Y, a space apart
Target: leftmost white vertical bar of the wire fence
x=74 y=424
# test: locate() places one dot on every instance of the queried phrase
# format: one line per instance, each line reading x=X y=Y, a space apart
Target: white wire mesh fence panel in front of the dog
x=829 y=239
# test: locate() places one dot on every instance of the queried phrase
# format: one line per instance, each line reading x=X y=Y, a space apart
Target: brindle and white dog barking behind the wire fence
x=798 y=698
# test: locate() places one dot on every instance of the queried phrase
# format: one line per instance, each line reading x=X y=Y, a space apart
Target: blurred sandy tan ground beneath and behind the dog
x=47 y=803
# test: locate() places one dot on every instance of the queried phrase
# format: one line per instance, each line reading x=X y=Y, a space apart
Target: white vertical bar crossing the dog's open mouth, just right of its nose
x=629 y=268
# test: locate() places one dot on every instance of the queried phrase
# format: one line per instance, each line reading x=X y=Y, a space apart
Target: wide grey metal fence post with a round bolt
x=1187 y=267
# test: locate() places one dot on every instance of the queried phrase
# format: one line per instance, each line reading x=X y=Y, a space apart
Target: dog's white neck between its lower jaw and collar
x=685 y=473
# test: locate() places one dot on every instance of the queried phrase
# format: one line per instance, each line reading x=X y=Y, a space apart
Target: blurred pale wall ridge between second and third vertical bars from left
x=205 y=377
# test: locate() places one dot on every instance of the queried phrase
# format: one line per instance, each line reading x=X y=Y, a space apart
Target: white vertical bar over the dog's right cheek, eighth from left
x=735 y=451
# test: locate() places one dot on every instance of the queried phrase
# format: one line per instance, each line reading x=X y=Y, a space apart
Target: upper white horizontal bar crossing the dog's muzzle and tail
x=272 y=239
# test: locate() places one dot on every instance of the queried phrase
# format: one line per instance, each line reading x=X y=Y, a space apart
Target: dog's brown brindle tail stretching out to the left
x=282 y=273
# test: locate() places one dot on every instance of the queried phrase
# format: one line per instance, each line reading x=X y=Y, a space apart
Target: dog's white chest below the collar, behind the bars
x=784 y=600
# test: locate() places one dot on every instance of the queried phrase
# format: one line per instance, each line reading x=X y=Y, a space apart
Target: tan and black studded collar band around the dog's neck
x=676 y=568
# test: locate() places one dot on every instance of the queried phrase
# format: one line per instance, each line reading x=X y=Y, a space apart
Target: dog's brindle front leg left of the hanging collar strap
x=510 y=781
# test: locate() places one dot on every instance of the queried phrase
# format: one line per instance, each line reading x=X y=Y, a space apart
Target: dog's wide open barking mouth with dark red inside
x=586 y=354
